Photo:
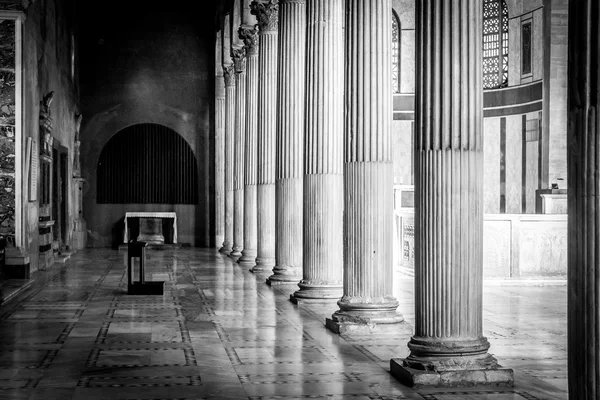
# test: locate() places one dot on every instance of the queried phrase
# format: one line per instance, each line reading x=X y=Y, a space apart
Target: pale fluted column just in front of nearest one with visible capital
x=290 y=143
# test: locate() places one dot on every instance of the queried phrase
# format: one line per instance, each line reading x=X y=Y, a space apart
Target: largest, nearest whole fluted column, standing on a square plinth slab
x=448 y=347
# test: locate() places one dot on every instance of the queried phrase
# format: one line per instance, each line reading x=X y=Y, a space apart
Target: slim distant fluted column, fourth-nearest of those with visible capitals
x=229 y=76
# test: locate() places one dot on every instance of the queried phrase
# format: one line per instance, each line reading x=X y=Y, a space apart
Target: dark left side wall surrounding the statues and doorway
x=48 y=48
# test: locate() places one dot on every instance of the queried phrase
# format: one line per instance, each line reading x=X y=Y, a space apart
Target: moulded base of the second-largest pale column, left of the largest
x=365 y=322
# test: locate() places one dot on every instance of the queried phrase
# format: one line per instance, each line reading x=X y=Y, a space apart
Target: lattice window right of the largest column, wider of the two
x=495 y=44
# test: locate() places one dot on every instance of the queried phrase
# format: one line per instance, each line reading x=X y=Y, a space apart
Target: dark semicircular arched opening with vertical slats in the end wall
x=147 y=164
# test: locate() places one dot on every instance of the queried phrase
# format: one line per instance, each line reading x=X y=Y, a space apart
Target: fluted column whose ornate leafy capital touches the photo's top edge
x=266 y=12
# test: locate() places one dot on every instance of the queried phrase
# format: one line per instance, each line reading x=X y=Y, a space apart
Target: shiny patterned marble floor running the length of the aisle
x=219 y=332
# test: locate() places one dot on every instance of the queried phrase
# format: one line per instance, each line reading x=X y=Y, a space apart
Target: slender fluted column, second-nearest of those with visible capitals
x=249 y=34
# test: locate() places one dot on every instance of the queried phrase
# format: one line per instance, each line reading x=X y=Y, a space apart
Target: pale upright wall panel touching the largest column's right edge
x=491 y=165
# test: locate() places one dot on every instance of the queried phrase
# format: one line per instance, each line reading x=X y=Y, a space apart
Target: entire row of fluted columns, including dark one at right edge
x=304 y=174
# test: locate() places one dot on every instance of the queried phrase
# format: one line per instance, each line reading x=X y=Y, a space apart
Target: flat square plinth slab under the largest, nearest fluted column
x=450 y=378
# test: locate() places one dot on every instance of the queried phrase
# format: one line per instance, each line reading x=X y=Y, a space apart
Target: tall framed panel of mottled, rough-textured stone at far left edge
x=7 y=128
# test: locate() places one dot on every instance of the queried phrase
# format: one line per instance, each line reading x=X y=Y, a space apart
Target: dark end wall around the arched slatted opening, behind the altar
x=158 y=69
